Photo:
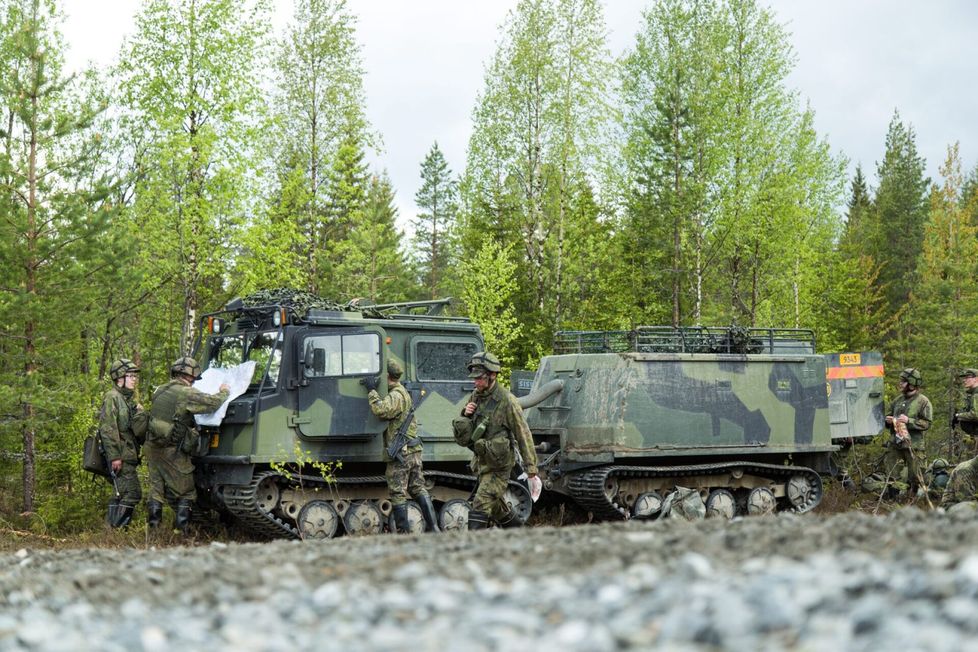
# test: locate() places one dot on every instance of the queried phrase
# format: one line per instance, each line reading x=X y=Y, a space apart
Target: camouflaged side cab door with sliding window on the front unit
x=332 y=362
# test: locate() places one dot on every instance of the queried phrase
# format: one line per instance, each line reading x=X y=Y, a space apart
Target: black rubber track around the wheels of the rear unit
x=587 y=487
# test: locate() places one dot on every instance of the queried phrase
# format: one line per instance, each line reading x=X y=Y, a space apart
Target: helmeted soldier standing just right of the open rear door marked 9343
x=910 y=416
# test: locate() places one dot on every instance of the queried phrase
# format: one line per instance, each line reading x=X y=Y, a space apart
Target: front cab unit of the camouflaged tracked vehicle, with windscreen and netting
x=306 y=407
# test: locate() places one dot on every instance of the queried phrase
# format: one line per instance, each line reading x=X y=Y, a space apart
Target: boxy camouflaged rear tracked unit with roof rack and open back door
x=742 y=416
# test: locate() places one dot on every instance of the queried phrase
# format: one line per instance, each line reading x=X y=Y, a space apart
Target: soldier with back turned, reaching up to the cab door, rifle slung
x=405 y=479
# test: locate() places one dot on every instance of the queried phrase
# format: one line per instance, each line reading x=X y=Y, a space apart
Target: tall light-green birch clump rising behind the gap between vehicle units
x=537 y=131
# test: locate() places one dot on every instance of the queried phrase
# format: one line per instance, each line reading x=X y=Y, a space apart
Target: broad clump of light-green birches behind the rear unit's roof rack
x=729 y=193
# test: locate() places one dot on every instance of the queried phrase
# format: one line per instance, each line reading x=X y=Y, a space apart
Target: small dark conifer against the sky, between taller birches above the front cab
x=434 y=228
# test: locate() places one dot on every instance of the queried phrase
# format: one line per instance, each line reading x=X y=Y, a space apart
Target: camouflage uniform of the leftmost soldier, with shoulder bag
x=115 y=427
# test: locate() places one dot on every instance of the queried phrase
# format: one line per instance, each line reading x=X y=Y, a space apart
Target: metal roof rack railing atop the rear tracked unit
x=688 y=339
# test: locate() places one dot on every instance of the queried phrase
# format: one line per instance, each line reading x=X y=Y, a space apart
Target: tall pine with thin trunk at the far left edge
x=56 y=207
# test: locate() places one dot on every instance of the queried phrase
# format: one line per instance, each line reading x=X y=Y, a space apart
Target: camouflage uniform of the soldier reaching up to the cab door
x=404 y=479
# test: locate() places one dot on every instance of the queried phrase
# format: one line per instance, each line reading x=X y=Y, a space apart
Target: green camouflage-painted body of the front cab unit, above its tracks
x=329 y=416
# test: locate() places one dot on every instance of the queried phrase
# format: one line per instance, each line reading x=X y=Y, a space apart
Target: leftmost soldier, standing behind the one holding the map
x=122 y=428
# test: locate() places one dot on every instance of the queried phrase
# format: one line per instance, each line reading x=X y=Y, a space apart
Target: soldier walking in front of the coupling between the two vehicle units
x=493 y=427
